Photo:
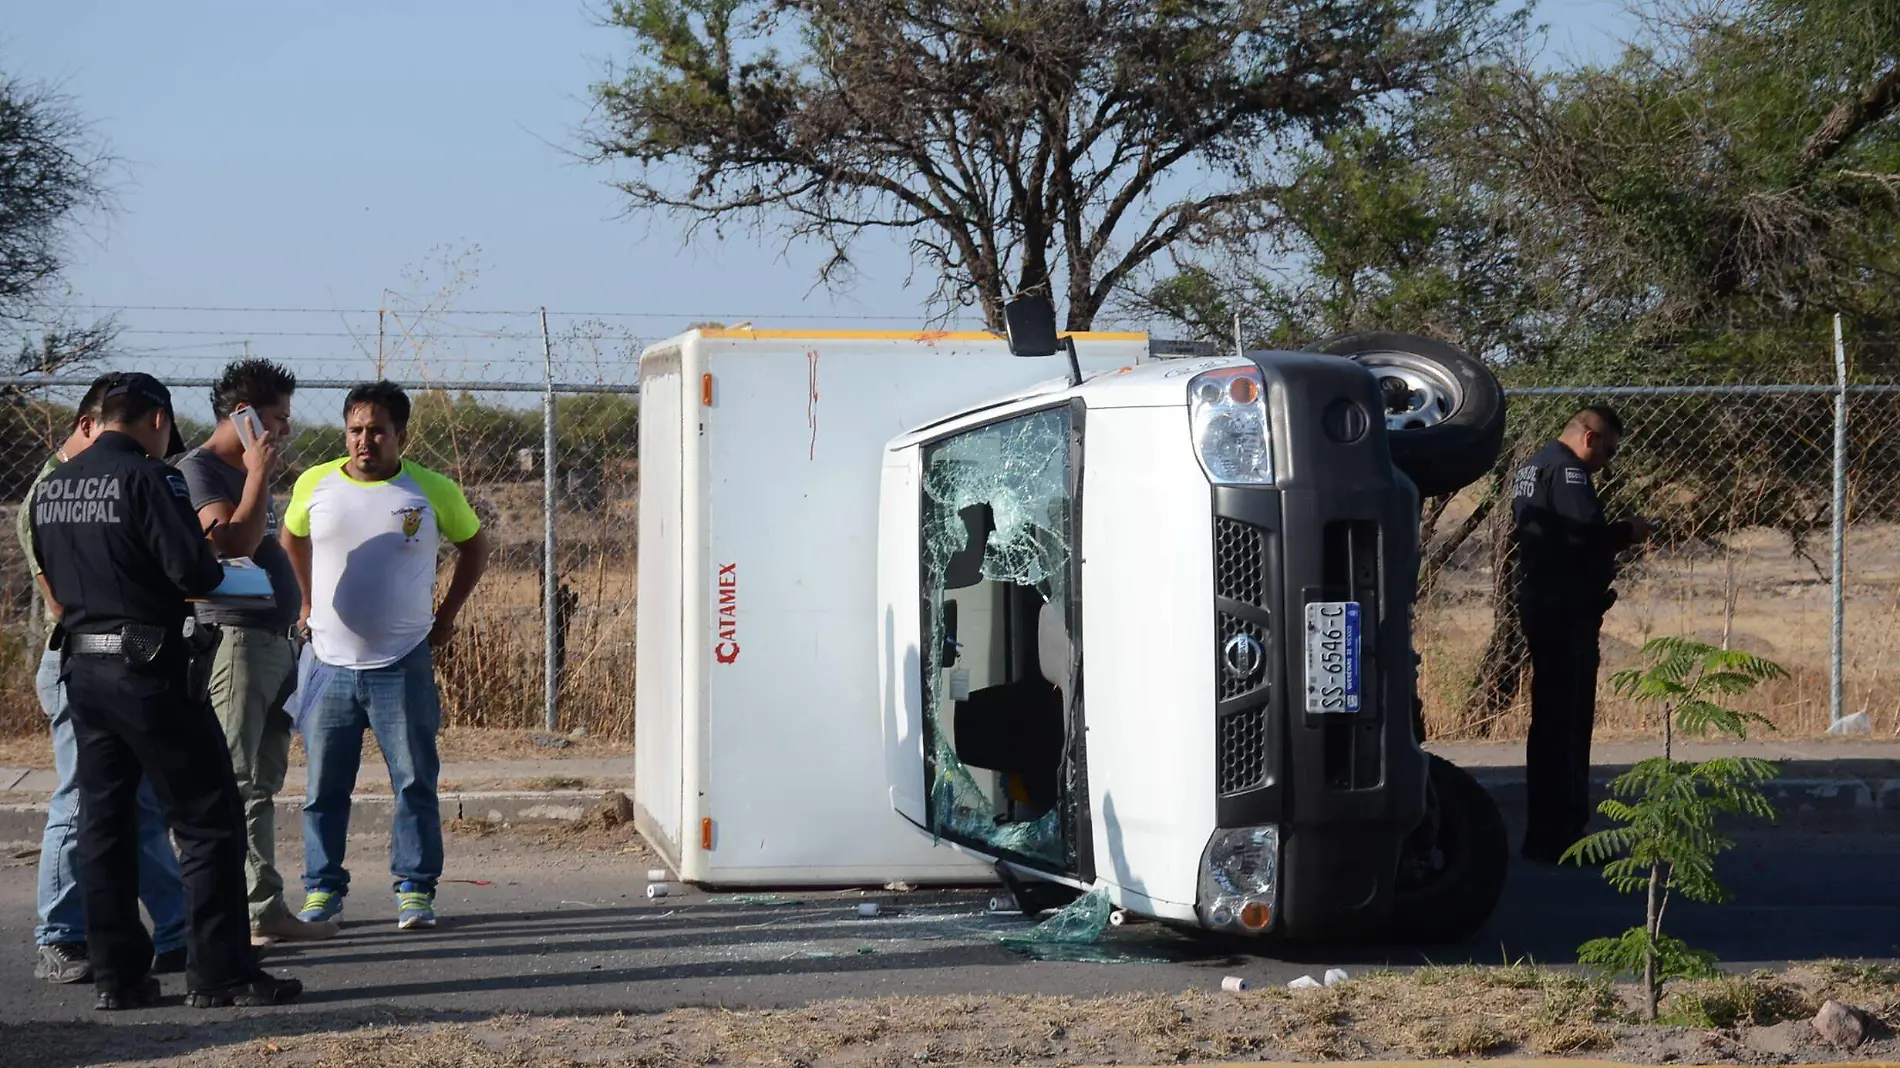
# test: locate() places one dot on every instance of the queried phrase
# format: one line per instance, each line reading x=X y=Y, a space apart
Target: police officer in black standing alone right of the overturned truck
x=1567 y=567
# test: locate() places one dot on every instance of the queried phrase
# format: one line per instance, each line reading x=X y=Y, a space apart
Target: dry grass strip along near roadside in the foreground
x=1456 y=1014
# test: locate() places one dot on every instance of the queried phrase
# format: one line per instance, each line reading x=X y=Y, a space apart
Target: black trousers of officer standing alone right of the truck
x=1557 y=757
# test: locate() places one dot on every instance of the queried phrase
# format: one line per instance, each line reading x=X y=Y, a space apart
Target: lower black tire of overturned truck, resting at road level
x=1454 y=866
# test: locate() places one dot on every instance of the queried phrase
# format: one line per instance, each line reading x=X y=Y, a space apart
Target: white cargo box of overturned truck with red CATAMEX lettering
x=759 y=746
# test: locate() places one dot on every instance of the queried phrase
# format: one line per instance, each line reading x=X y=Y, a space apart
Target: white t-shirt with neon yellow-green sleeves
x=373 y=558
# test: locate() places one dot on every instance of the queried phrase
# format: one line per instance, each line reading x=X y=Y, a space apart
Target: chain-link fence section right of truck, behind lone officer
x=1743 y=486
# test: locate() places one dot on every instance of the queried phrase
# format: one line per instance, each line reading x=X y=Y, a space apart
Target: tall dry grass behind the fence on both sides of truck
x=1760 y=594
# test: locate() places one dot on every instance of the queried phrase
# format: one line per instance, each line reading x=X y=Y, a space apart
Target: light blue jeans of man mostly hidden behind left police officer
x=62 y=904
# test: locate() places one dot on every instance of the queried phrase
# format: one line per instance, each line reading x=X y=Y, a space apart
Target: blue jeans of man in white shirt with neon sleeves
x=400 y=704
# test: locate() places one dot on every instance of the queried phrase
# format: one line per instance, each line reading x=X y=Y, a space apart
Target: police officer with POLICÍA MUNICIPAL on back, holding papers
x=123 y=550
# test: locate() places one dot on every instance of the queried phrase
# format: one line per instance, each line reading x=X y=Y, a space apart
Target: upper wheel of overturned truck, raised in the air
x=1445 y=411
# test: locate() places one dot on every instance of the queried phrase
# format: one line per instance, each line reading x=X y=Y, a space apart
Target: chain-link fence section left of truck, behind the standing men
x=491 y=438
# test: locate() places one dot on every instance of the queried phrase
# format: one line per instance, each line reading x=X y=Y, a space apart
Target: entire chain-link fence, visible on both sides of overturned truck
x=1741 y=480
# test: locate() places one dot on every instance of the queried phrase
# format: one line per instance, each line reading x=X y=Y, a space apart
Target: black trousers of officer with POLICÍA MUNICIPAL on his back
x=136 y=723
